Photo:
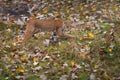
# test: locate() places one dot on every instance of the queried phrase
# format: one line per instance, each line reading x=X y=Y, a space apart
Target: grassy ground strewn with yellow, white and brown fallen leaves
x=93 y=55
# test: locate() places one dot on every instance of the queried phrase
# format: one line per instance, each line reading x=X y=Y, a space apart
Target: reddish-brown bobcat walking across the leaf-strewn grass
x=55 y=25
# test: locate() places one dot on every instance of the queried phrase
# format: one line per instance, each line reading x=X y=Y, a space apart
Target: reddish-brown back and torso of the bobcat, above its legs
x=46 y=24
